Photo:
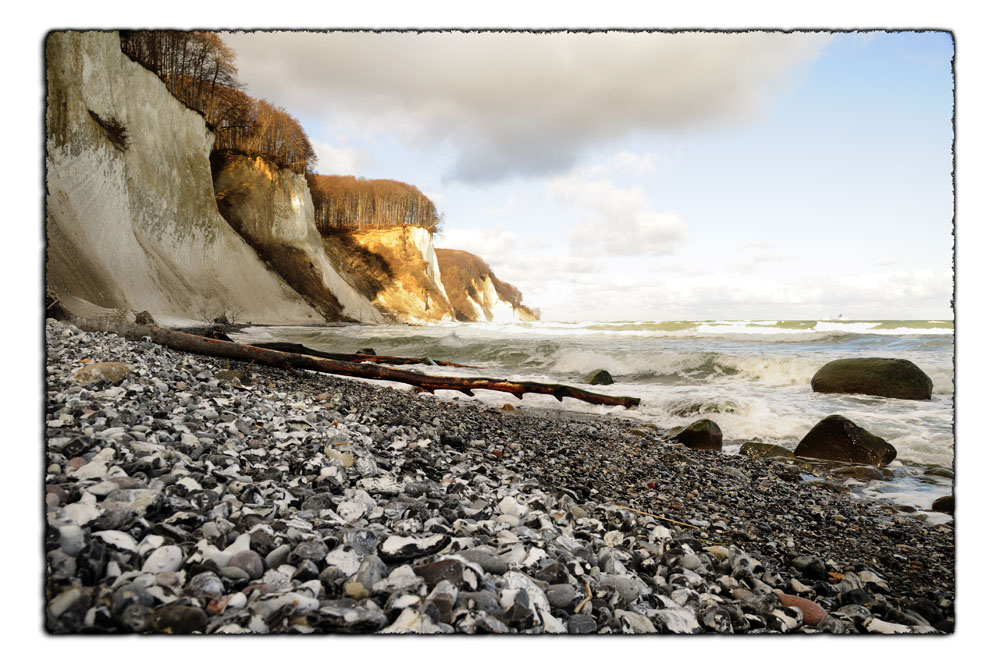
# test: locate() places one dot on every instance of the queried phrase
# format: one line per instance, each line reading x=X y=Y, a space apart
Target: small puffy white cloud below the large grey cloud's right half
x=616 y=221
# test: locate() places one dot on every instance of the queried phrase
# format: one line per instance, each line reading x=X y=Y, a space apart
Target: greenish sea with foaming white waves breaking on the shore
x=751 y=377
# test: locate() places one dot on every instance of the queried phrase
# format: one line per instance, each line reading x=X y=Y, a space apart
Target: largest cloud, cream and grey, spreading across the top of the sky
x=524 y=104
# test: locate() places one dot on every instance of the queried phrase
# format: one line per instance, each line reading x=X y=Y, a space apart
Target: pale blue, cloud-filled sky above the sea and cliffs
x=655 y=176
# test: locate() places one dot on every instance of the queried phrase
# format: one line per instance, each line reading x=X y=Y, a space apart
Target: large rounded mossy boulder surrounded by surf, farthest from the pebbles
x=883 y=377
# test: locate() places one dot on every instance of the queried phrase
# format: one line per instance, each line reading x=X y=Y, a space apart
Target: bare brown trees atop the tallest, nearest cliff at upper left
x=199 y=69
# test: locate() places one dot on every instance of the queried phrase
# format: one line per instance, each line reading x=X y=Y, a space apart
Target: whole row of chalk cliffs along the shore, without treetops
x=142 y=215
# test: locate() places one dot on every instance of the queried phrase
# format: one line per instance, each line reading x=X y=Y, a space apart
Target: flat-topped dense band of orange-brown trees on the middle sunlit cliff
x=344 y=202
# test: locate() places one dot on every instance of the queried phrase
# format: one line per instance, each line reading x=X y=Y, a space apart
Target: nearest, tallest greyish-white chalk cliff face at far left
x=132 y=221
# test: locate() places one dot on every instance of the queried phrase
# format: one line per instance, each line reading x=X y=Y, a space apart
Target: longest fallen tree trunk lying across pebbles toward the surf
x=190 y=343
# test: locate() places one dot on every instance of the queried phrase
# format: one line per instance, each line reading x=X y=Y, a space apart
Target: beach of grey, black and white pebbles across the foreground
x=183 y=495
